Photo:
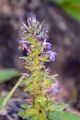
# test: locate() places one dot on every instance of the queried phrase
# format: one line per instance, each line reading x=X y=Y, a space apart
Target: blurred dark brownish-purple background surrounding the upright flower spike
x=62 y=18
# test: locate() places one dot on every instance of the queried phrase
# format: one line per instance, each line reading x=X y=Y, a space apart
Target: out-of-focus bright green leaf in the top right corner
x=71 y=7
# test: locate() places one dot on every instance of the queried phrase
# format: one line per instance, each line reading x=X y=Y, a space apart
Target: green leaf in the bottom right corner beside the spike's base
x=62 y=116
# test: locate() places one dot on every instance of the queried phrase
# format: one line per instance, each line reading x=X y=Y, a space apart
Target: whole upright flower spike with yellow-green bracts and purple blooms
x=38 y=50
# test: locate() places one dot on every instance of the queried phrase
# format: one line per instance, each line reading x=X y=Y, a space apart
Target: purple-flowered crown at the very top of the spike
x=35 y=28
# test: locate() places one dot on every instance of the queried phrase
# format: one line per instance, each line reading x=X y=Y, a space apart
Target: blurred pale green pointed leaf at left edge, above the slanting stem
x=7 y=74
